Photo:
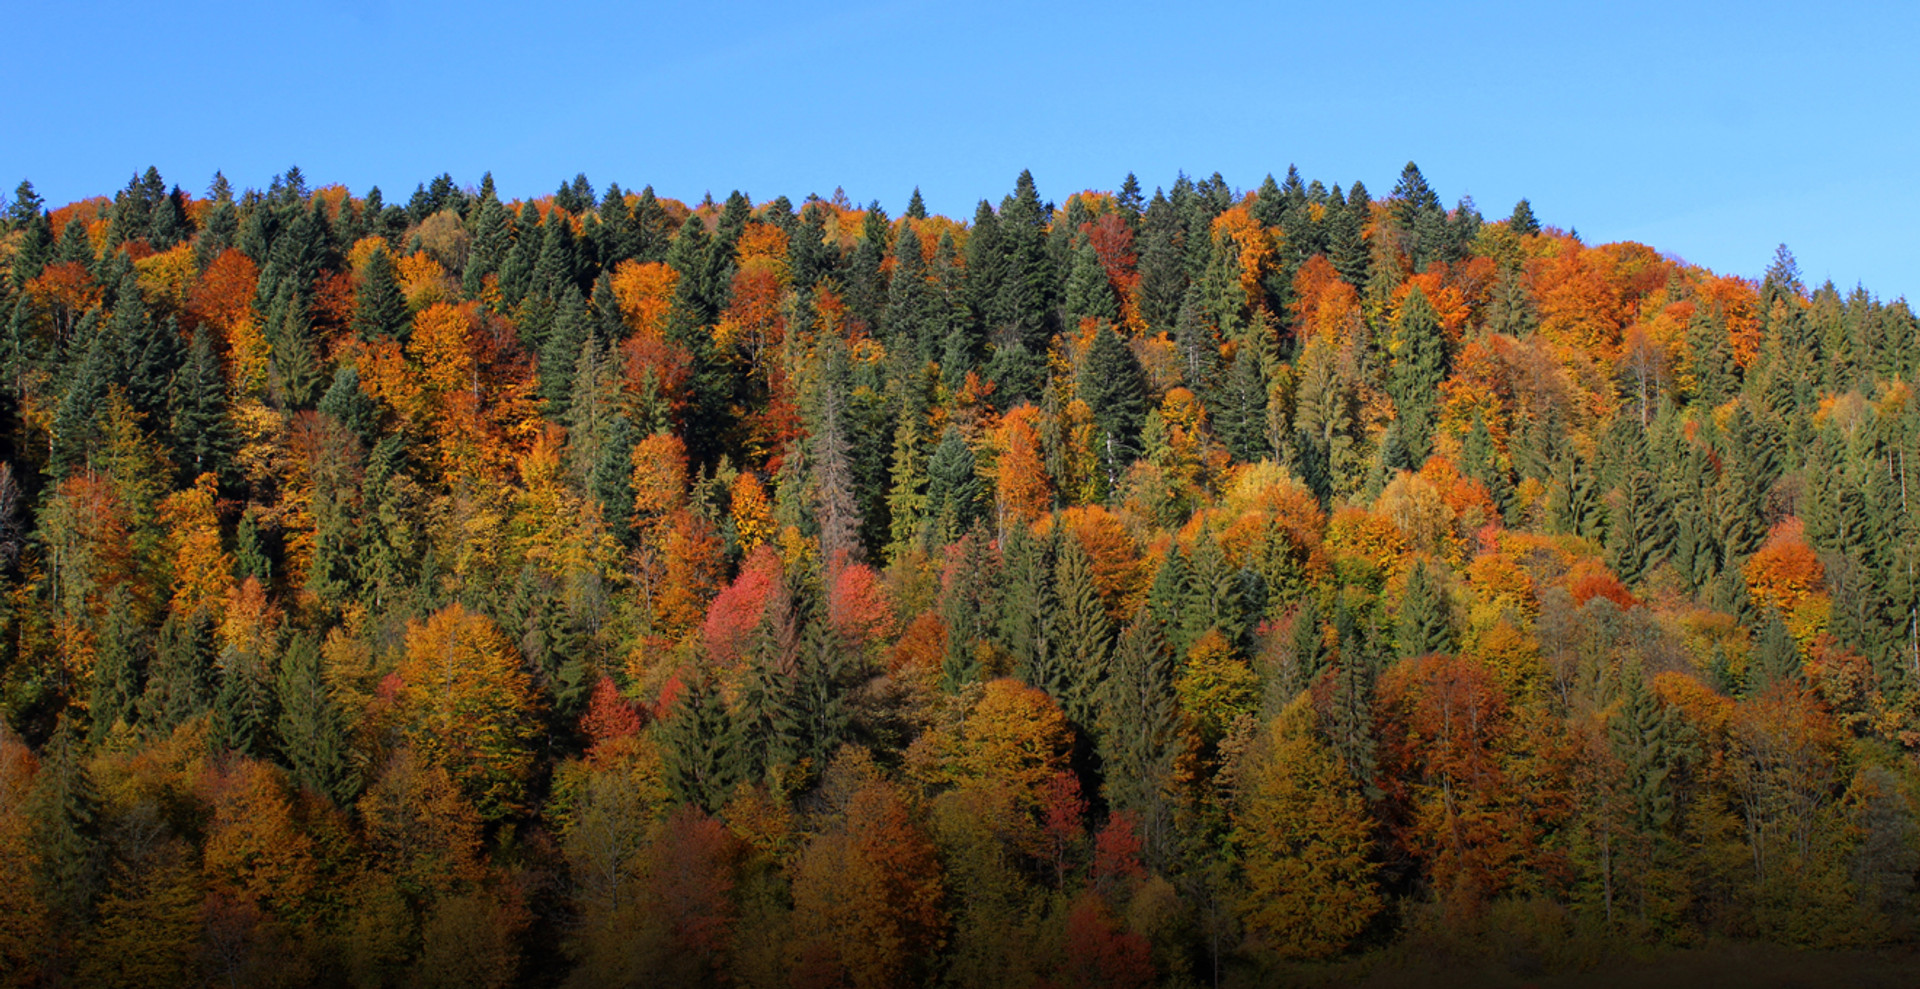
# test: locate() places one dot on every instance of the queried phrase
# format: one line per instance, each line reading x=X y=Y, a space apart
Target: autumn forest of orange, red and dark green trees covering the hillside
x=1201 y=589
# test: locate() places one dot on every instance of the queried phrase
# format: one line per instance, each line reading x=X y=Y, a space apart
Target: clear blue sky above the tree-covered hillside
x=1712 y=132
